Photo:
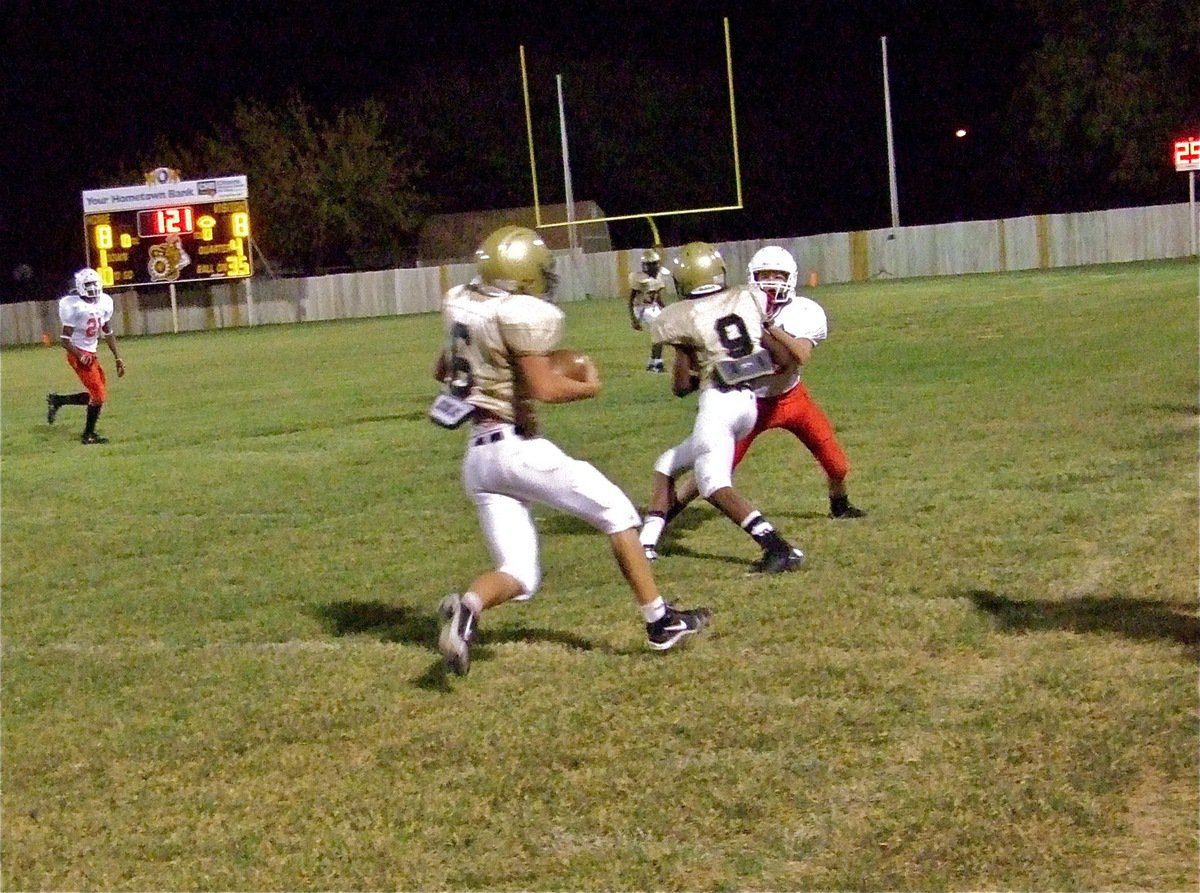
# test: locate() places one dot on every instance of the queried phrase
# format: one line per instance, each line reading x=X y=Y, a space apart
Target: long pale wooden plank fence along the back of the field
x=1041 y=242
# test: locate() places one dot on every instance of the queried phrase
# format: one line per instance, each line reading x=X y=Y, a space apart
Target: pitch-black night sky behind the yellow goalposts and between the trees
x=87 y=87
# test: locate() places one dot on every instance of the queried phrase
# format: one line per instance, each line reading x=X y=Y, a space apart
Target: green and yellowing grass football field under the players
x=220 y=667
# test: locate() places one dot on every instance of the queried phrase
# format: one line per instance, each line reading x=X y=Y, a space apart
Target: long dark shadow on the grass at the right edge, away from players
x=1136 y=619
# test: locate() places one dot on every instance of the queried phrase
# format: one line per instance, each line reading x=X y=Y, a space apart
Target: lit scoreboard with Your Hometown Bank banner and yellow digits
x=169 y=232
